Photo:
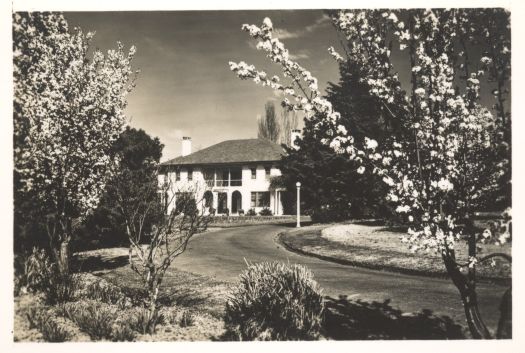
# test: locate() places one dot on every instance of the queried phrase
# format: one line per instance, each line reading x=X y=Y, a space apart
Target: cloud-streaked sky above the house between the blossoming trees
x=185 y=86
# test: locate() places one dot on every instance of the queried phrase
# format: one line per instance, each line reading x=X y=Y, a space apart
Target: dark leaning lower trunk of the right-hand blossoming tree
x=469 y=298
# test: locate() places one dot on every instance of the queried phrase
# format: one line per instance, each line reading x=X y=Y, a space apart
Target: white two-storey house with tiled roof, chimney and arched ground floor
x=230 y=177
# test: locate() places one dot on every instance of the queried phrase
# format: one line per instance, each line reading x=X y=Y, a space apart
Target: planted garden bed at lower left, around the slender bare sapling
x=191 y=306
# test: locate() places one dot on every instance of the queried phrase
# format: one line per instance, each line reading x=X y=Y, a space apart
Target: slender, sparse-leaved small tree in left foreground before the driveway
x=153 y=248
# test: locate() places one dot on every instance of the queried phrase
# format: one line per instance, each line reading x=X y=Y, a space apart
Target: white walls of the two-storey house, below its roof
x=199 y=187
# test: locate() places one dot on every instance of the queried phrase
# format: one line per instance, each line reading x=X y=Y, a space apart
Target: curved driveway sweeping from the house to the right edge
x=221 y=254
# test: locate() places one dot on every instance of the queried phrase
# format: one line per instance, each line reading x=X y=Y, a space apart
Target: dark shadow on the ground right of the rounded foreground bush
x=359 y=320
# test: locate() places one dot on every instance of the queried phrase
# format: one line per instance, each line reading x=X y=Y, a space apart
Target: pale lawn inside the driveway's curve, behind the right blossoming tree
x=378 y=247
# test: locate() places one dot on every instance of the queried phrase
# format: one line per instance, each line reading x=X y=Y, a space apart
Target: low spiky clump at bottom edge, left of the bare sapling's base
x=94 y=318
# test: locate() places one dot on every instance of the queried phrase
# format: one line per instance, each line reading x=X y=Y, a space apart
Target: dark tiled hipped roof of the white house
x=233 y=151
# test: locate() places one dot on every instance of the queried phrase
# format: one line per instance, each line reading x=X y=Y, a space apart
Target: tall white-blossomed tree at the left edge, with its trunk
x=68 y=111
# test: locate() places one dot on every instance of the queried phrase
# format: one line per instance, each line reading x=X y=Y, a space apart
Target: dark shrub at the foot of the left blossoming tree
x=42 y=275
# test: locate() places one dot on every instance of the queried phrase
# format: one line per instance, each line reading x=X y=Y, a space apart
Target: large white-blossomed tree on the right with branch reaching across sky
x=453 y=155
